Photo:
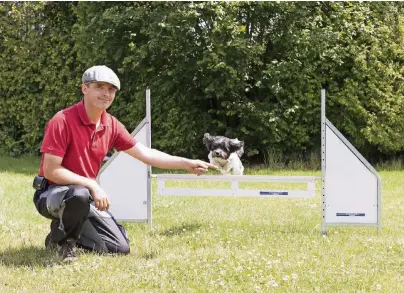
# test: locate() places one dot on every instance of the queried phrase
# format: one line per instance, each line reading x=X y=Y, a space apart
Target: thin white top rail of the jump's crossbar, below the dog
x=238 y=178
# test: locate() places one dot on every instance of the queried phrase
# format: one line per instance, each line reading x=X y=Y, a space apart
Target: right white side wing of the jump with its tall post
x=351 y=187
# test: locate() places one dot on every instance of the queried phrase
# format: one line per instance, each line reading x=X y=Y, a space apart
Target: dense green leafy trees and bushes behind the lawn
x=251 y=70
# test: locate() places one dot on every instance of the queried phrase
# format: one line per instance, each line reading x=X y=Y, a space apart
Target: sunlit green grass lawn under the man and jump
x=208 y=244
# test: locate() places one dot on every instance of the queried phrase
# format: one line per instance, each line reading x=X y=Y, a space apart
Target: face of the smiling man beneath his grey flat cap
x=99 y=94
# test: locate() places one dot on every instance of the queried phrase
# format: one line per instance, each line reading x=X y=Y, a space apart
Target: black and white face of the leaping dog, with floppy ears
x=222 y=147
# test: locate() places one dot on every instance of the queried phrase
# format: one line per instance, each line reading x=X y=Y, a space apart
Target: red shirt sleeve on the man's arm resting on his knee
x=55 y=140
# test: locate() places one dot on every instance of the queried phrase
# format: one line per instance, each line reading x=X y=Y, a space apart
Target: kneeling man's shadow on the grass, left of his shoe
x=29 y=257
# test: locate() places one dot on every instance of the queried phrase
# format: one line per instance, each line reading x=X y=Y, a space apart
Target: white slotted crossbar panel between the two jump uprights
x=234 y=190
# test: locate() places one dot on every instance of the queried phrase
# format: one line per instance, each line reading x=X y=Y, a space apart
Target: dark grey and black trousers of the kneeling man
x=74 y=217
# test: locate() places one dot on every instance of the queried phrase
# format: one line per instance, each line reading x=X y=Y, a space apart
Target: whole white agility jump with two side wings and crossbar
x=351 y=187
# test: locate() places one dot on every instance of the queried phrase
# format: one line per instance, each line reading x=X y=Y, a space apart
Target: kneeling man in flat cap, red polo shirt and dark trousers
x=75 y=143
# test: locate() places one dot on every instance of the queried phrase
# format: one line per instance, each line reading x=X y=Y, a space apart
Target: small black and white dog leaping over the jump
x=225 y=153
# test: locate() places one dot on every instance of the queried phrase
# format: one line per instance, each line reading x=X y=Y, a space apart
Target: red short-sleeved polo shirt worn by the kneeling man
x=72 y=136
